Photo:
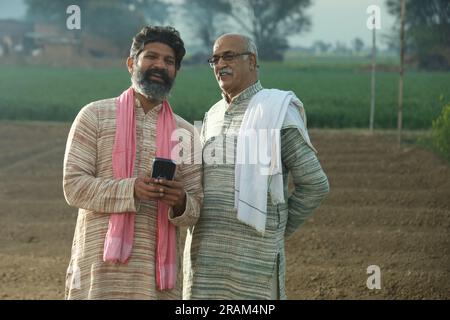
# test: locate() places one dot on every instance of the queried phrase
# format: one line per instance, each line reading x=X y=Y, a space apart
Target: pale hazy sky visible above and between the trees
x=332 y=20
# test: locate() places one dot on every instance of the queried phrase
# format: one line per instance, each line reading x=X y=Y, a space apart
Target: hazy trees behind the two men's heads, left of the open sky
x=268 y=22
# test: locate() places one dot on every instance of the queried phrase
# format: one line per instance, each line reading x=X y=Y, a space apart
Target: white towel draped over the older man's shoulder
x=258 y=165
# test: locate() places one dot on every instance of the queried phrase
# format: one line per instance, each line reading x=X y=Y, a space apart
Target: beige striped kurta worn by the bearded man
x=89 y=185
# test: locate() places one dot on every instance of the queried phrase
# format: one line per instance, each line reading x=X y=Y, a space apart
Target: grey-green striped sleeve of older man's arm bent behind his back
x=310 y=181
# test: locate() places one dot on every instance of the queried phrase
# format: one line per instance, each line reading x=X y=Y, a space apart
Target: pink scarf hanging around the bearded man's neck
x=120 y=235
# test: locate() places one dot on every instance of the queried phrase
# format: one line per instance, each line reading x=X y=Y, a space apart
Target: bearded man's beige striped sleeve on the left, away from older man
x=82 y=188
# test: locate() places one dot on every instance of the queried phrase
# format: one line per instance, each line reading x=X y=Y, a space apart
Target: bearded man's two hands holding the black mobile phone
x=170 y=192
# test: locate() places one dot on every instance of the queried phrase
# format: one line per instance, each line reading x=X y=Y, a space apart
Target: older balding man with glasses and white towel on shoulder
x=253 y=139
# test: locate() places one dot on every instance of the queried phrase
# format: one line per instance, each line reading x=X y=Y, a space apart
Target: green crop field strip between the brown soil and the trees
x=335 y=91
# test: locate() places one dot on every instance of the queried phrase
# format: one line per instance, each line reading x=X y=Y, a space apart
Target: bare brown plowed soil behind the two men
x=388 y=207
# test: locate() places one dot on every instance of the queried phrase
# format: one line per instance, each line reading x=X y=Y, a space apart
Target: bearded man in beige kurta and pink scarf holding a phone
x=126 y=243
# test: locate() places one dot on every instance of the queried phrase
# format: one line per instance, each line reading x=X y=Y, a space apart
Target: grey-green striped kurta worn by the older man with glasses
x=225 y=258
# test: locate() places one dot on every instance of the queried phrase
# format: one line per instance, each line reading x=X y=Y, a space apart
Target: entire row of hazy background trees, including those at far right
x=268 y=22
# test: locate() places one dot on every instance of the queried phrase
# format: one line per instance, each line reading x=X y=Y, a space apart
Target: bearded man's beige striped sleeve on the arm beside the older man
x=191 y=177
